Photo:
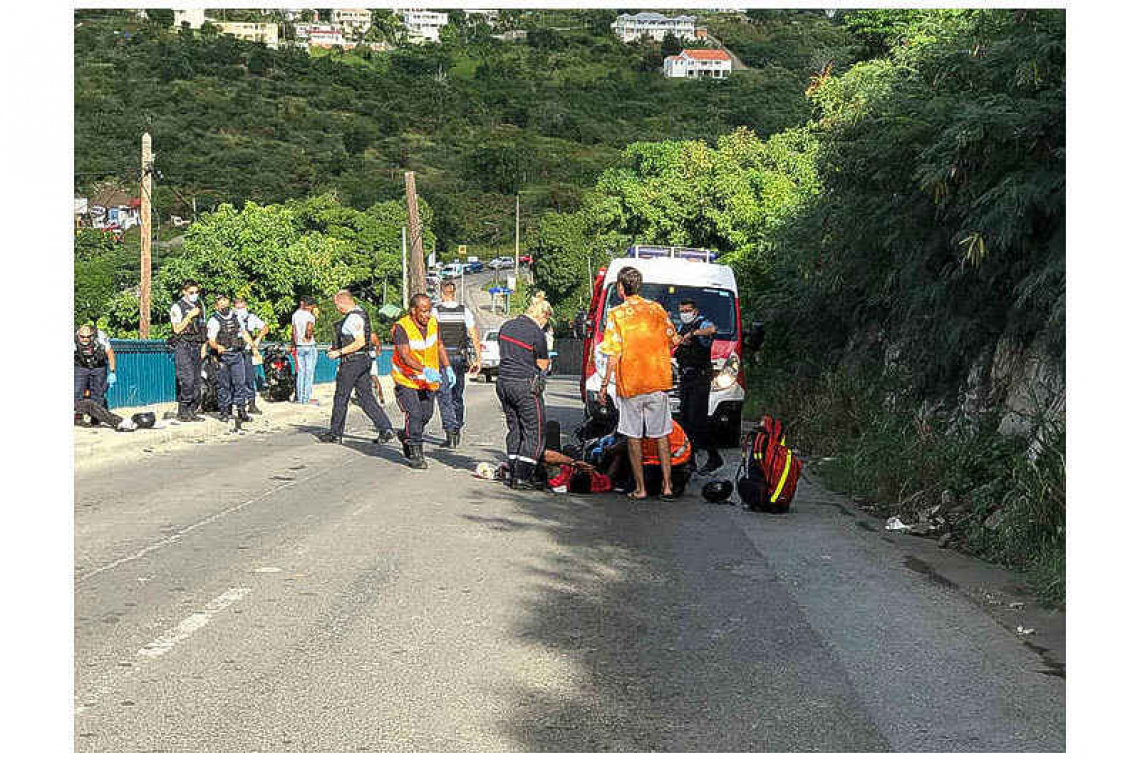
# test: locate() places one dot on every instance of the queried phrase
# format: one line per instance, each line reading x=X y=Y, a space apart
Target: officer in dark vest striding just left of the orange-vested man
x=352 y=341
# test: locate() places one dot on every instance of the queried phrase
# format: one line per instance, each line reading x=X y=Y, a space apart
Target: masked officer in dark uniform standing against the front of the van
x=695 y=364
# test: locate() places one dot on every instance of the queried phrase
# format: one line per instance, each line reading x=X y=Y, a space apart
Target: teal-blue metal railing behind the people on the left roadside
x=145 y=372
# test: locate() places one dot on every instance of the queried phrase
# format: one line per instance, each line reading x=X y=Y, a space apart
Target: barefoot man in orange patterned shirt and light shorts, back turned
x=638 y=346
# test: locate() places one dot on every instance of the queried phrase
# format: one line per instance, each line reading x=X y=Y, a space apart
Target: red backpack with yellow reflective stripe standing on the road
x=769 y=471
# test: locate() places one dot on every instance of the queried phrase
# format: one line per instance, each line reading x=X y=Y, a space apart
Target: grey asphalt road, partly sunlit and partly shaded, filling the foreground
x=283 y=595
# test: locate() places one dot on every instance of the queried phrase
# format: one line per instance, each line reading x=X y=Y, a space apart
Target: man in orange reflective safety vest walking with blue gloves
x=418 y=363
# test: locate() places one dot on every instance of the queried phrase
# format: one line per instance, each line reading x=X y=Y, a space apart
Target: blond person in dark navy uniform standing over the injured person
x=524 y=362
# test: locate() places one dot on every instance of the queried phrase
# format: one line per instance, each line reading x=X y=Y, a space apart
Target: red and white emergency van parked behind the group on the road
x=669 y=276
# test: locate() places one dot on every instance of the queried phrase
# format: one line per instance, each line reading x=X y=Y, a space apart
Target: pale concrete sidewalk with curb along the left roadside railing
x=100 y=446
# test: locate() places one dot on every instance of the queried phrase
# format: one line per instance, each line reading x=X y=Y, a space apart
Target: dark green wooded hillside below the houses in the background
x=476 y=118
